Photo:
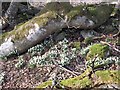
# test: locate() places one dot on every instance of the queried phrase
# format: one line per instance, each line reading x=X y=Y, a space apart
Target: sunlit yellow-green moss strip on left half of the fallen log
x=21 y=30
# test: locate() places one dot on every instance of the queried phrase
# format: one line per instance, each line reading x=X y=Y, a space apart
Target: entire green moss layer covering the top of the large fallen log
x=52 y=10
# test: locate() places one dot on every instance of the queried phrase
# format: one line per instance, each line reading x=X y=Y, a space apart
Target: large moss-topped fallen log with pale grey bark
x=52 y=18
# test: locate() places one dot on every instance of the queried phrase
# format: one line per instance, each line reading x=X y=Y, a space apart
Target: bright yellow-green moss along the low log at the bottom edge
x=82 y=81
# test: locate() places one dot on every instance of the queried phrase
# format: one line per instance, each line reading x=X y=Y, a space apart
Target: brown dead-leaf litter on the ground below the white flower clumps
x=27 y=77
